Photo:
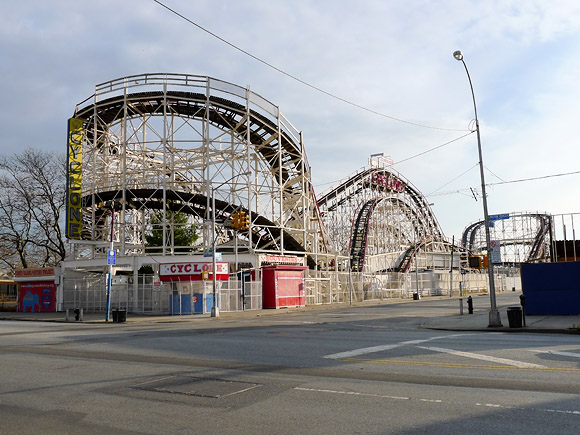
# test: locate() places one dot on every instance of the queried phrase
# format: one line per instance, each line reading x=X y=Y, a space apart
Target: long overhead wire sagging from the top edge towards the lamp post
x=299 y=80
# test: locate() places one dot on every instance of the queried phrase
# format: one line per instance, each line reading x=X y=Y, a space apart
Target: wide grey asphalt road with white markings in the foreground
x=341 y=371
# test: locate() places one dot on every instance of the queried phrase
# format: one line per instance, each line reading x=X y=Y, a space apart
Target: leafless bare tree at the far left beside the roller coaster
x=32 y=200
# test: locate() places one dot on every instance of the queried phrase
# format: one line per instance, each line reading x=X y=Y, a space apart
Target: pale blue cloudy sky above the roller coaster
x=392 y=57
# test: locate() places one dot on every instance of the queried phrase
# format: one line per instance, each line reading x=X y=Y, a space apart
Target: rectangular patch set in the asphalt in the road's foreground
x=195 y=386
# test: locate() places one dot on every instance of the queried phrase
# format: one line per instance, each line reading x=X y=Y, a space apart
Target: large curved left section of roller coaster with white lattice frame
x=133 y=136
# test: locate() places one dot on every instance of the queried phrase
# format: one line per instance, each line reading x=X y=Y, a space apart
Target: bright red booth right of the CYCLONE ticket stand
x=283 y=286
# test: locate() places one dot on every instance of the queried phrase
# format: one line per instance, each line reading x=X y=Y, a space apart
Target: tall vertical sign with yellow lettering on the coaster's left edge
x=74 y=178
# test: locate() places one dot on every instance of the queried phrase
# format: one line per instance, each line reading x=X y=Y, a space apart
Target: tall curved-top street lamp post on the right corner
x=494 y=316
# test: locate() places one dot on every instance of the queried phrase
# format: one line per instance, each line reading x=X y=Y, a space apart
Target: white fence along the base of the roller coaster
x=320 y=287
